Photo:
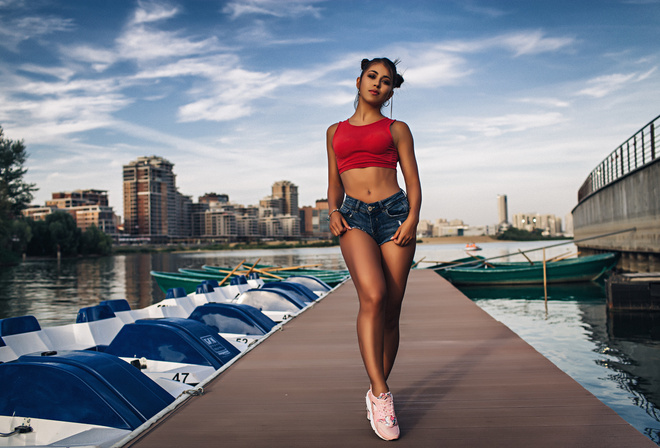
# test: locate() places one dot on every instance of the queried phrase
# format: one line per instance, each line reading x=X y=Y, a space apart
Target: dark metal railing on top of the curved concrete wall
x=639 y=150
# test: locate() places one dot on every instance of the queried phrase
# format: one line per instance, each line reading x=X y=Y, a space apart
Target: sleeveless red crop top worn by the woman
x=365 y=146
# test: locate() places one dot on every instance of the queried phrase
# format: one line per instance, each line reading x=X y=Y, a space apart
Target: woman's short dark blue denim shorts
x=380 y=220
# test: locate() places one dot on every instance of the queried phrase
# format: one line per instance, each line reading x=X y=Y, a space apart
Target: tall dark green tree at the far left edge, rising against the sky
x=15 y=194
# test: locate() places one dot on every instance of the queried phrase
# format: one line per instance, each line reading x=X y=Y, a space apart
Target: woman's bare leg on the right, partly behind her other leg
x=396 y=261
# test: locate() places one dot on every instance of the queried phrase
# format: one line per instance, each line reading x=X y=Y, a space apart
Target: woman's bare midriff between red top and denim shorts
x=370 y=184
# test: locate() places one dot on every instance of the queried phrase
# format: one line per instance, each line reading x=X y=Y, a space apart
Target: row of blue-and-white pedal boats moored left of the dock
x=117 y=370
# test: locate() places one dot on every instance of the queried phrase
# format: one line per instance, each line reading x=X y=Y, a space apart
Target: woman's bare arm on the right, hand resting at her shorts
x=403 y=140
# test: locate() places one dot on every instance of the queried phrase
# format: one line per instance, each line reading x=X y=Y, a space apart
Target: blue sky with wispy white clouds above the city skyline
x=515 y=97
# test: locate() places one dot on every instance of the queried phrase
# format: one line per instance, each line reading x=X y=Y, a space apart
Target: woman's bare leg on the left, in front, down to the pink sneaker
x=363 y=259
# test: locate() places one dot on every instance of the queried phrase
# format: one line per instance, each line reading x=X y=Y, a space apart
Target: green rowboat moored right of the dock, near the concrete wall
x=562 y=271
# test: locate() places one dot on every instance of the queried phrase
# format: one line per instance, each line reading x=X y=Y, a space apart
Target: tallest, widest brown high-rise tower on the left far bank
x=152 y=204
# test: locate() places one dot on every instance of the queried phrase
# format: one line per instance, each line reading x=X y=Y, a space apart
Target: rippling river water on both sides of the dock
x=615 y=357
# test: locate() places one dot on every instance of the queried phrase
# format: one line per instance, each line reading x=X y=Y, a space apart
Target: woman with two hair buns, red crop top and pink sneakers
x=377 y=223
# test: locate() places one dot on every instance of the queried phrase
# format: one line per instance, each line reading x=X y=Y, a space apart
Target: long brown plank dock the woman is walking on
x=462 y=379
